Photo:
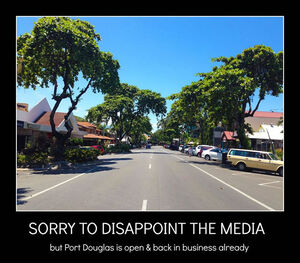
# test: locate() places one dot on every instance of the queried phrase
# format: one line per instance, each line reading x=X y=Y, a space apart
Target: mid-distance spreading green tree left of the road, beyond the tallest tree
x=125 y=106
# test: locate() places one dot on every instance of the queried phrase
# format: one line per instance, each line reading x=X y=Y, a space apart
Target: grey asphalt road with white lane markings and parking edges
x=155 y=179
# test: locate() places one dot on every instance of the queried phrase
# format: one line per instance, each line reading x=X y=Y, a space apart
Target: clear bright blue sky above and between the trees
x=163 y=54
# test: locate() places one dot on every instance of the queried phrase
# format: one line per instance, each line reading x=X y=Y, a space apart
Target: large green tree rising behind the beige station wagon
x=232 y=85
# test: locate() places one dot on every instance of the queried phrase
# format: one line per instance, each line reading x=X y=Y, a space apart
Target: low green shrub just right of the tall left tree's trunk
x=77 y=155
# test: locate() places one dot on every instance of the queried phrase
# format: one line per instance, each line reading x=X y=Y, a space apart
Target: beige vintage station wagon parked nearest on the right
x=243 y=159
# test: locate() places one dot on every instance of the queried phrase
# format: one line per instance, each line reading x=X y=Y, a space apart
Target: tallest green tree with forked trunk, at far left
x=55 y=54
